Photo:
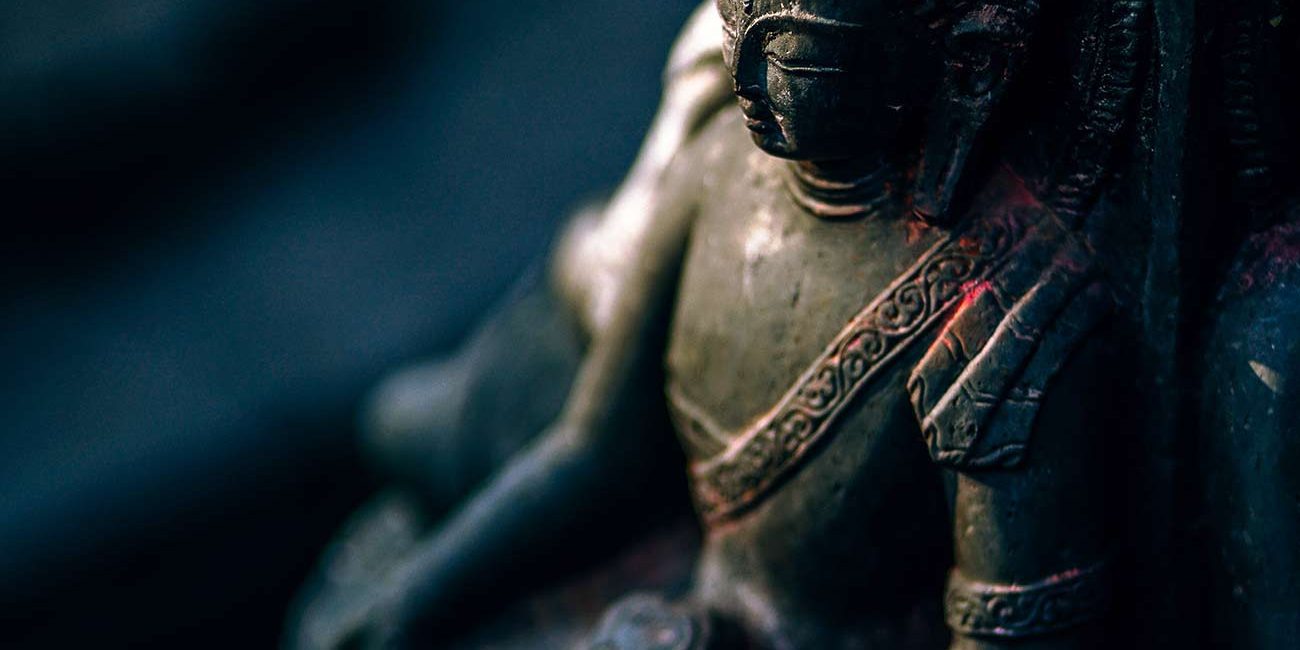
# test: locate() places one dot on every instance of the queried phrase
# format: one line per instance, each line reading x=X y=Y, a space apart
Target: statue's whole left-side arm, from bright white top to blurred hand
x=617 y=268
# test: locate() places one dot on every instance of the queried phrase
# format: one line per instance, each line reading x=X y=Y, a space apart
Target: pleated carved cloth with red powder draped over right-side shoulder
x=978 y=389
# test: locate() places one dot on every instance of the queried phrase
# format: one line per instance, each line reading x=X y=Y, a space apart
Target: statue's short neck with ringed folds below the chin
x=843 y=189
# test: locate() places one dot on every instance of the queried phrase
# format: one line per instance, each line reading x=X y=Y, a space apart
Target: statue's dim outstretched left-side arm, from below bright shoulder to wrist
x=603 y=450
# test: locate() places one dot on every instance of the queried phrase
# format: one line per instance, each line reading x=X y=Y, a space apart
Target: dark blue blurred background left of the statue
x=224 y=222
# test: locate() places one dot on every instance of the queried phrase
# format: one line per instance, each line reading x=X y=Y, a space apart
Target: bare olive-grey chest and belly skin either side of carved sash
x=851 y=540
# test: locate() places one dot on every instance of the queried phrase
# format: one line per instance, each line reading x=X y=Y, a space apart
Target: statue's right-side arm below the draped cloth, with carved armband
x=1029 y=540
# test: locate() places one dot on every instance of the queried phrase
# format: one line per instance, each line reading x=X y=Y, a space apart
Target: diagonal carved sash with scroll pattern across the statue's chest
x=740 y=476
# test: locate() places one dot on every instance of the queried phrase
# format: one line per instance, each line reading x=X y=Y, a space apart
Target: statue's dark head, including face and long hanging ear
x=837 y=80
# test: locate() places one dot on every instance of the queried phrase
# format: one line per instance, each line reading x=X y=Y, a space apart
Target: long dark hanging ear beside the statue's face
x=985 y=51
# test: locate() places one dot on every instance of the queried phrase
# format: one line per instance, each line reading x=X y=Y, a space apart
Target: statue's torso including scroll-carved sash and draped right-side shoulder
x=824 y=374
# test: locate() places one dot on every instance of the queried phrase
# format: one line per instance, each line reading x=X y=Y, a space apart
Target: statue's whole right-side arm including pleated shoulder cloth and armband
x=1016 y=400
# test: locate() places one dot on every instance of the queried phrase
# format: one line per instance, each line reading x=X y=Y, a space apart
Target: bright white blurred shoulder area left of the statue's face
x=590 y=265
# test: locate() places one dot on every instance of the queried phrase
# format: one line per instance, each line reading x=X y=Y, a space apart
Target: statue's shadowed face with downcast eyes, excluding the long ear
x=829 y=80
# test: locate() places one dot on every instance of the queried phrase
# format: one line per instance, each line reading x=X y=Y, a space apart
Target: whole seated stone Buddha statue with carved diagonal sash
x=872 y=304
